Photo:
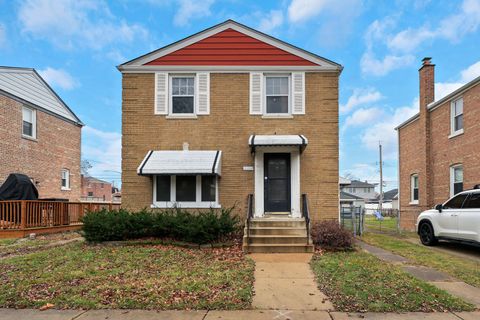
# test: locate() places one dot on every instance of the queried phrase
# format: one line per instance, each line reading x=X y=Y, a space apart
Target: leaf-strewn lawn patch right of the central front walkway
x=359 y=282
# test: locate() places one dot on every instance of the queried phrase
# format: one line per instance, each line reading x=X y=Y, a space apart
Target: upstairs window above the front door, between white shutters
x=277 y=94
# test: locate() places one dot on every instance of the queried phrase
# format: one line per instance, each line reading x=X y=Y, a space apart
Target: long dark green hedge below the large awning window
x=179 y=224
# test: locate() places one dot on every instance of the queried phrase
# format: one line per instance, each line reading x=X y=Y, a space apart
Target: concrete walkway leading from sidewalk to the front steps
x=284 y=281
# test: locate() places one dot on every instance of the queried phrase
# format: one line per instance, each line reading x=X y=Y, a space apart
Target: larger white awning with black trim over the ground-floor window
x=181 y=163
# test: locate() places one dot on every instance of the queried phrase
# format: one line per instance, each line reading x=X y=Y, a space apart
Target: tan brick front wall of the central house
x=228 y=128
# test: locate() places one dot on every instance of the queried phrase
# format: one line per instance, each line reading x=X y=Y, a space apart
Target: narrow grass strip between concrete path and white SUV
x=463 y=269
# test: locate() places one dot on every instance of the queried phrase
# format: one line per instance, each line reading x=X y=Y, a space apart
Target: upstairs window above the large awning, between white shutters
x=183 y=95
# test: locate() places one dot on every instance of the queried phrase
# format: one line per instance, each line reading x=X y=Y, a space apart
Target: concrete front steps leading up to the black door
x=277 y=235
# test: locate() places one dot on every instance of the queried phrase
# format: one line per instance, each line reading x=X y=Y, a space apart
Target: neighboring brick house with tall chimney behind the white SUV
x=439 y=153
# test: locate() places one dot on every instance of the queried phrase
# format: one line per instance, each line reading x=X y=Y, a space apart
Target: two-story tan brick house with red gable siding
x=229 y=112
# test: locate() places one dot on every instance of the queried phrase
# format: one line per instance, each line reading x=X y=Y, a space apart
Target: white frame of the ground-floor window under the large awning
x=197 y=204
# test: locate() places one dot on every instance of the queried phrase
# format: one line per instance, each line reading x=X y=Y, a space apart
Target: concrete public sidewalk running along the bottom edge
x=11 y=314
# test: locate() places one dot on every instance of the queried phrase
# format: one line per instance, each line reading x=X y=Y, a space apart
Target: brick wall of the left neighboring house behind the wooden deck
x=57 y=146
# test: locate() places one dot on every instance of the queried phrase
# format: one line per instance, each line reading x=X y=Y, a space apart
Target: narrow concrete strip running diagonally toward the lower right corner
x=434 y=277
